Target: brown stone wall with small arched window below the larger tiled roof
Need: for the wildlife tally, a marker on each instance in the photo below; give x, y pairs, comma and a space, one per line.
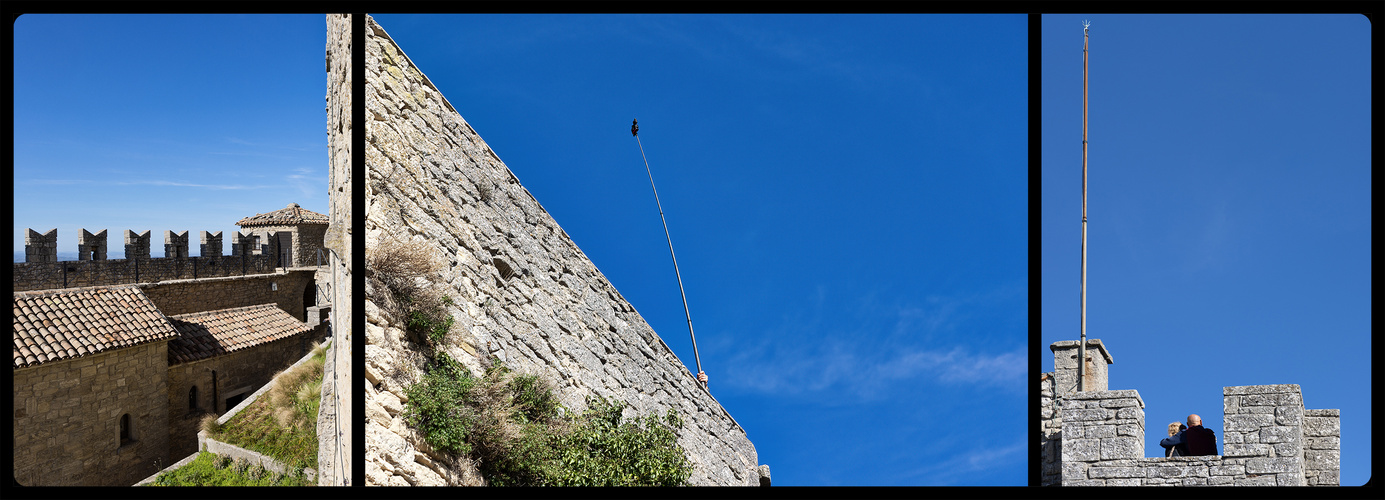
67, 419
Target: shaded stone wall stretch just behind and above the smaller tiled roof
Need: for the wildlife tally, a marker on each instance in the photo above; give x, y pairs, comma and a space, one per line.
185, 297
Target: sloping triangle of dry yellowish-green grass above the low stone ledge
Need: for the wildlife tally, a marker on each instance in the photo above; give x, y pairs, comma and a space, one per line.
283, 422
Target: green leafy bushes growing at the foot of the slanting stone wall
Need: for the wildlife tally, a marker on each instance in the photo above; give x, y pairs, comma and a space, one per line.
519, 434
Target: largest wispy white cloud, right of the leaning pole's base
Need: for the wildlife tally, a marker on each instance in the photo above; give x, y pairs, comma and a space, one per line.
873, 350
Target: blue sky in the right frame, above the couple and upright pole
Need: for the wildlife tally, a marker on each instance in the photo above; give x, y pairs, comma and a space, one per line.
1229, 210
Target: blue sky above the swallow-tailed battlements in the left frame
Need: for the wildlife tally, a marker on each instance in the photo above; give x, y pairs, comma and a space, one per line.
166, 123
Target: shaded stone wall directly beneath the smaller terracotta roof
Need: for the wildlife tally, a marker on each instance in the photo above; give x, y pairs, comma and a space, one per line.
243, 370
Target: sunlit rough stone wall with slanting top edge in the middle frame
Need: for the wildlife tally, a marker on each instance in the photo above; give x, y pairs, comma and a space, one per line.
523, 290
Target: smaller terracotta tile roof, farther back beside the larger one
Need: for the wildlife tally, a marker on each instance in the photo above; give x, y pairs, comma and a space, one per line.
228, 330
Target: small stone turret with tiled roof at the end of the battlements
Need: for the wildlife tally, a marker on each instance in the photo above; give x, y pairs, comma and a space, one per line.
292, 235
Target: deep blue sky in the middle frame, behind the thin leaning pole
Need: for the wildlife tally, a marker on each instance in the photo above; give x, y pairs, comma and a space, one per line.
847, 196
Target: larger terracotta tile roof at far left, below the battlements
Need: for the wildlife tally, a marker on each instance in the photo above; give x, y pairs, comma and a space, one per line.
52, 326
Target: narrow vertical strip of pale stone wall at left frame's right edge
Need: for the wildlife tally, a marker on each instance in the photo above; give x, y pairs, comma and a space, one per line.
334, 437
